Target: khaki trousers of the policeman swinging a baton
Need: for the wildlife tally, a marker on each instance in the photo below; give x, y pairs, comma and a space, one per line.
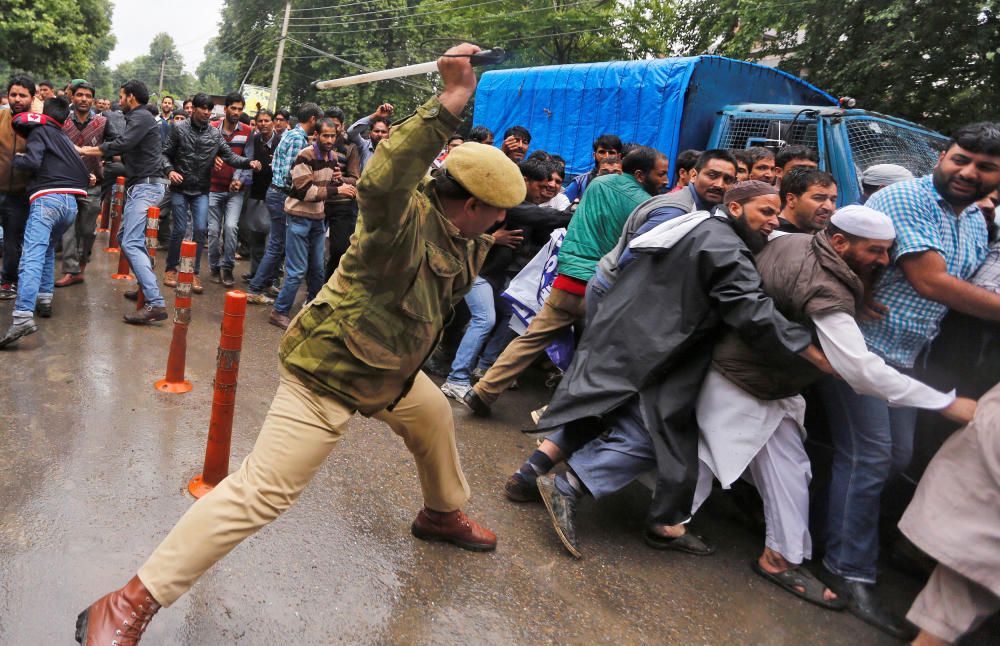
300, 430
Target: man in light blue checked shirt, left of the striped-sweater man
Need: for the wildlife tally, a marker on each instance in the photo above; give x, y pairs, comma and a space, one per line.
292, 142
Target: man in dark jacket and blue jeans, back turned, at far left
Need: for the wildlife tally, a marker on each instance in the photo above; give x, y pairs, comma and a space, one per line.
59, 177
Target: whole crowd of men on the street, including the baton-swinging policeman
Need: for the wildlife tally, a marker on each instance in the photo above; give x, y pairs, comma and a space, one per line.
704, 303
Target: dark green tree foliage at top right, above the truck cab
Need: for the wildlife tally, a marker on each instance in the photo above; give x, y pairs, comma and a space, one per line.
936, 63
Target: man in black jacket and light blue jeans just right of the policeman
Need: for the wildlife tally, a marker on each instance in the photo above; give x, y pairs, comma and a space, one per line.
526, 222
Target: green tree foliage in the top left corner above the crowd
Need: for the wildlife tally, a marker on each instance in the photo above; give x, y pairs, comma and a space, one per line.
55, 38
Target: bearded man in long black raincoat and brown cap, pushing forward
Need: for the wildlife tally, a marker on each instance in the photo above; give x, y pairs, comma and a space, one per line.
638, 390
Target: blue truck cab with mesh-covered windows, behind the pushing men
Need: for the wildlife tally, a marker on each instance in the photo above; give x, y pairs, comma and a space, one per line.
848, 141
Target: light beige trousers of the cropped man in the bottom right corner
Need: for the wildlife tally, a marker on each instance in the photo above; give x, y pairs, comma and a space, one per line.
950, 605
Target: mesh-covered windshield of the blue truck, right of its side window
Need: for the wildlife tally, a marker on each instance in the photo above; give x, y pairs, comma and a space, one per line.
873, 141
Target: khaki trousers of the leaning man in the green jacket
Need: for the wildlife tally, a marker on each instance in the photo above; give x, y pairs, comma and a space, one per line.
560, 310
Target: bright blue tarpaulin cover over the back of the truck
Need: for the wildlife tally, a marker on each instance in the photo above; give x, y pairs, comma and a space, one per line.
566, 107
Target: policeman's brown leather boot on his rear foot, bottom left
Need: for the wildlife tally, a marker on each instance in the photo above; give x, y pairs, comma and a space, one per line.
117, 618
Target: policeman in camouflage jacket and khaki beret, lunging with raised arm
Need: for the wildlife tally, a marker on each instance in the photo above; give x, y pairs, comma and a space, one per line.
357, 347
